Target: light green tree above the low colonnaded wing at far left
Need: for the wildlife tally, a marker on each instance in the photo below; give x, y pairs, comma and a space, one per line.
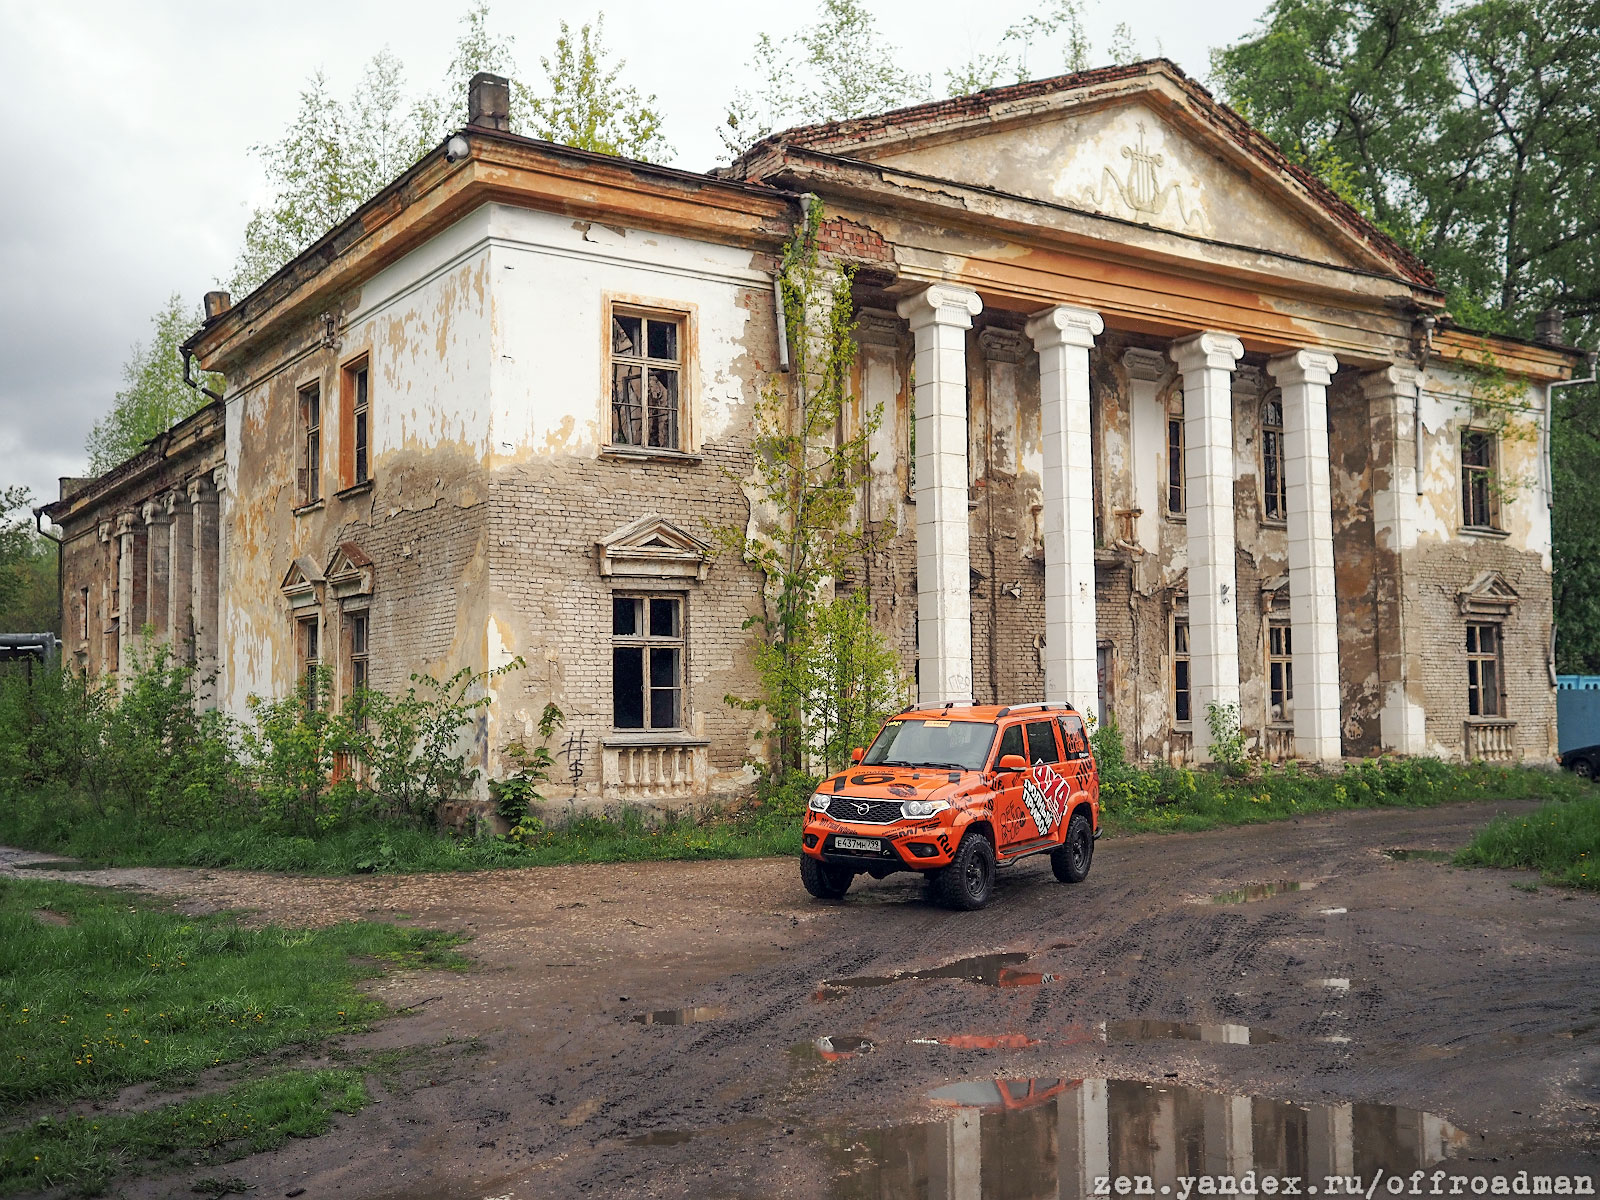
154, 396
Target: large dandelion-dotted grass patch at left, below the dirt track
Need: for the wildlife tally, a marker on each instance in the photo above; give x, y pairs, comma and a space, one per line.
129, 993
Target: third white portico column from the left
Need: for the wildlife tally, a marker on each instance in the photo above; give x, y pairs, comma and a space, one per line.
1207, 364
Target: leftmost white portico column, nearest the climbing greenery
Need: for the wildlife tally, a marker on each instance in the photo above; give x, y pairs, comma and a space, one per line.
940, 319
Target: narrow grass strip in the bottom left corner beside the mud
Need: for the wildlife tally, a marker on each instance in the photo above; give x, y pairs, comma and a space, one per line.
87, 1153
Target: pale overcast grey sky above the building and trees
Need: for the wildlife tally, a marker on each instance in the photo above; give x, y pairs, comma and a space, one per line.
127, 130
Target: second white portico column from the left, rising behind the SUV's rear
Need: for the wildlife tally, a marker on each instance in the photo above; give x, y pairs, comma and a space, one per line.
1063, 338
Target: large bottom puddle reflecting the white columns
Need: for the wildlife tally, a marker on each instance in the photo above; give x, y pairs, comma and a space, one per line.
1050, 1137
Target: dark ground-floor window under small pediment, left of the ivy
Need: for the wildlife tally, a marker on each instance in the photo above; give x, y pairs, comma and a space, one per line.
647, 662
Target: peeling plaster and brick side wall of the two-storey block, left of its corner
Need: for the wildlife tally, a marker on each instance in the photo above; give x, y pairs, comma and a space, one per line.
425, 327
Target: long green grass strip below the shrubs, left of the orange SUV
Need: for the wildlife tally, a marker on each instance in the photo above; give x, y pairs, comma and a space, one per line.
60, 825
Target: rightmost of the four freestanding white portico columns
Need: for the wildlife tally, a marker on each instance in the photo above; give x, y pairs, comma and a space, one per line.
1314, 614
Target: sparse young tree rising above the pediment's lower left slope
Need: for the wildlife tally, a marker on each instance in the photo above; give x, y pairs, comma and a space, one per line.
839, 66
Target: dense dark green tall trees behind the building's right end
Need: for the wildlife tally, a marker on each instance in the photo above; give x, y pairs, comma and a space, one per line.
1468, 130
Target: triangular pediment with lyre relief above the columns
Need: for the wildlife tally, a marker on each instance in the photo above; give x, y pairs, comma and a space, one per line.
1140, 145
